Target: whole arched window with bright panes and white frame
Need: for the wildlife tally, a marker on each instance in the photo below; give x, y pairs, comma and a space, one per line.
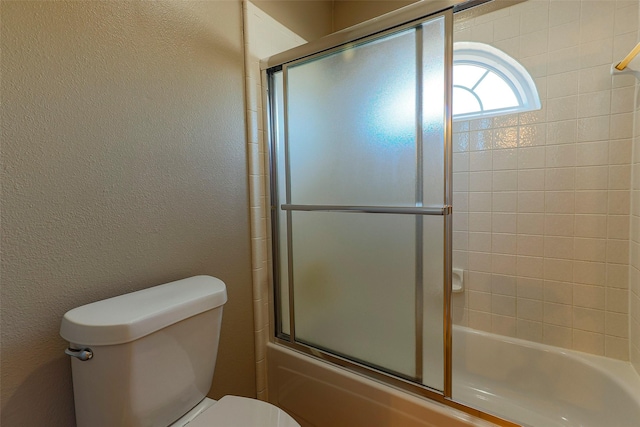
487, 82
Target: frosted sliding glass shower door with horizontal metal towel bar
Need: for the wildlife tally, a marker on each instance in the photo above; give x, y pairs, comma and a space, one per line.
360, 200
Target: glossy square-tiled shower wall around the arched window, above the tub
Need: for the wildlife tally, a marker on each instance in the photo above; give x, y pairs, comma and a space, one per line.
544, 197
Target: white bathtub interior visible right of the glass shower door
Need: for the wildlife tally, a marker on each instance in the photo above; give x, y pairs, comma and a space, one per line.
540, 385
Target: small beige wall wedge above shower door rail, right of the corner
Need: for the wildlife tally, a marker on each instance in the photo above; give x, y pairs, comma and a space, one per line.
351, 12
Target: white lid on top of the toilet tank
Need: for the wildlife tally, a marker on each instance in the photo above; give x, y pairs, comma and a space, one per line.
131, 316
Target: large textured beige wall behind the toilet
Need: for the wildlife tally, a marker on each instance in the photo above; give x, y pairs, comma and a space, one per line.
124, 166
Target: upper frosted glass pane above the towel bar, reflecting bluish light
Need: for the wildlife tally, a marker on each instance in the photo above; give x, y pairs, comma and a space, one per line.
352, 131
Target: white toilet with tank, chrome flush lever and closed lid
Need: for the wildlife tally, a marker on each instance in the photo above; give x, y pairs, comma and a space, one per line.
146, 359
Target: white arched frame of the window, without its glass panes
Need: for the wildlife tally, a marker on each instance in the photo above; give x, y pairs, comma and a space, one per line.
506, 67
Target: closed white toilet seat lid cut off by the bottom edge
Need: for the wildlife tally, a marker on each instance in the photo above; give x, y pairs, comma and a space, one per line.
234, 411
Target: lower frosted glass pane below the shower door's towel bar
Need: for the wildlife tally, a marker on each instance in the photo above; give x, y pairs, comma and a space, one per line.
354, 286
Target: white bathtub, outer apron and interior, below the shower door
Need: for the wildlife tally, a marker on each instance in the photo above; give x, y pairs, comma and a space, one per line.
533, 384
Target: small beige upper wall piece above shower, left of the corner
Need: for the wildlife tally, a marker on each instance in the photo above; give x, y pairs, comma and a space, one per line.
310, 19
